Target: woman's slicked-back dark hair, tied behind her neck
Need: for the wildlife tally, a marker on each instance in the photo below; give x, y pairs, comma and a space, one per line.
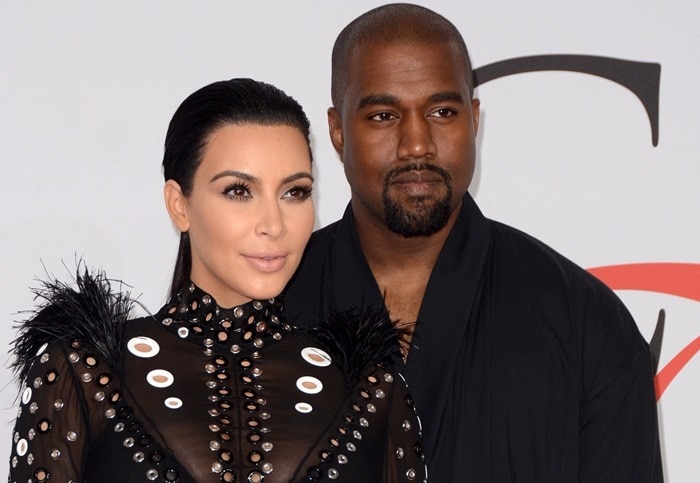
235, 101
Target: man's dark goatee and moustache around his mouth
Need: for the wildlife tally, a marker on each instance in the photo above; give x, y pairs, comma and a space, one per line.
418, 218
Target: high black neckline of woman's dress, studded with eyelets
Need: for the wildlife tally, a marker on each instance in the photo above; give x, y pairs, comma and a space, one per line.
194, 315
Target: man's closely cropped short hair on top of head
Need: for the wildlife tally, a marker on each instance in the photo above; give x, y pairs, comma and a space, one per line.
397, 23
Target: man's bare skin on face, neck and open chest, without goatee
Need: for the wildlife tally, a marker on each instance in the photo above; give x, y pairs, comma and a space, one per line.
404, 103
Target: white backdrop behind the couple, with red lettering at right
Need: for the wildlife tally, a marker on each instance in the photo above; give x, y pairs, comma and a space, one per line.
86, 92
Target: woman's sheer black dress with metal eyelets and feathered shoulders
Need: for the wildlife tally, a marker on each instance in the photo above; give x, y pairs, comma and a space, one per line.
202, 393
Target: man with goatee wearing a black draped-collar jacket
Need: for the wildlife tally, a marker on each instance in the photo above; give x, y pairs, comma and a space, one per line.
522, 366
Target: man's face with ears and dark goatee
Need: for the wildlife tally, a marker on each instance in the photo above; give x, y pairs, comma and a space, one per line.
405, 134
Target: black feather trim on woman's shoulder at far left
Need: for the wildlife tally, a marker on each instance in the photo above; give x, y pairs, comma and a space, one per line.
87, 310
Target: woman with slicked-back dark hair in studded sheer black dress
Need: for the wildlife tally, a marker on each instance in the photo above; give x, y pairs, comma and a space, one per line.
217, 386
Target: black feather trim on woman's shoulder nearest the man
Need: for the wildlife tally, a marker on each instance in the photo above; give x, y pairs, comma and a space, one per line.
359, 340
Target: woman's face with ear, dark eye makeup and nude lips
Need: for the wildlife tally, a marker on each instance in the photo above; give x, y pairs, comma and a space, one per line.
250, 212
